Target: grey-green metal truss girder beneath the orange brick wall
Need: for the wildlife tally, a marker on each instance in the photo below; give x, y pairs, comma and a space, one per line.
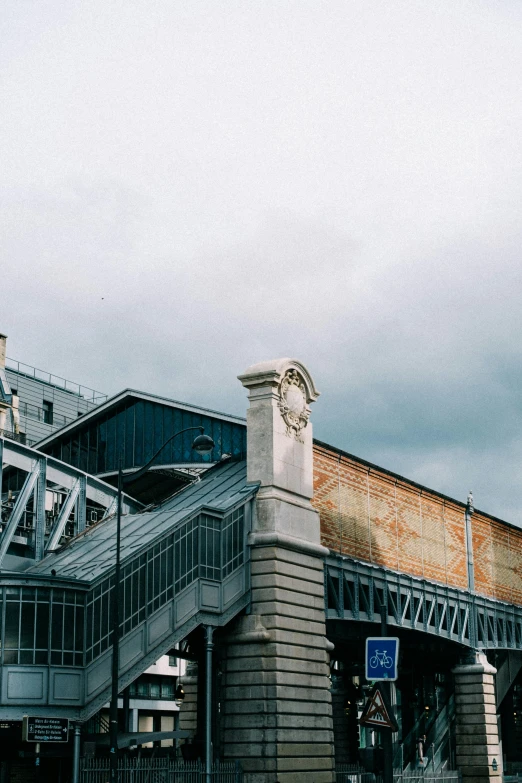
356, 591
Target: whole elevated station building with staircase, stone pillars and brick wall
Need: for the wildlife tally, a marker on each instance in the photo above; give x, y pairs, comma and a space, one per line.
267, 564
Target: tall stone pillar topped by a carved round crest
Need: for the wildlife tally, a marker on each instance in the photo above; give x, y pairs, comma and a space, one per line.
276, 702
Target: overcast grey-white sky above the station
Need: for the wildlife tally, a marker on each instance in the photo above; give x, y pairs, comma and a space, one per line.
190, 187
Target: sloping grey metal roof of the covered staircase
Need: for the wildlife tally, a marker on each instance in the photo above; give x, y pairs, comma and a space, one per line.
93, 553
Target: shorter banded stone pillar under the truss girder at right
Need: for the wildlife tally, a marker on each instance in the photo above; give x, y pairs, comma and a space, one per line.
476, 721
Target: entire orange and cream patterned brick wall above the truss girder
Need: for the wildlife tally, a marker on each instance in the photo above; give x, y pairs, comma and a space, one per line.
371, 516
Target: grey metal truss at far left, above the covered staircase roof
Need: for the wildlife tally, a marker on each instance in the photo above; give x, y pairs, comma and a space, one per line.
47, 477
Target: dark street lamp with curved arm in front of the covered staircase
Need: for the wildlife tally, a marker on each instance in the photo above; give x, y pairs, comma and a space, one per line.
202, 444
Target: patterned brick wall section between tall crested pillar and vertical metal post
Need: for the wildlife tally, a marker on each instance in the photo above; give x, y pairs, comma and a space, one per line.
379, 518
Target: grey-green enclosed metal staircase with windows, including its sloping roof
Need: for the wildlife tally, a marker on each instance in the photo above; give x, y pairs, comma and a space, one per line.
183, 564
